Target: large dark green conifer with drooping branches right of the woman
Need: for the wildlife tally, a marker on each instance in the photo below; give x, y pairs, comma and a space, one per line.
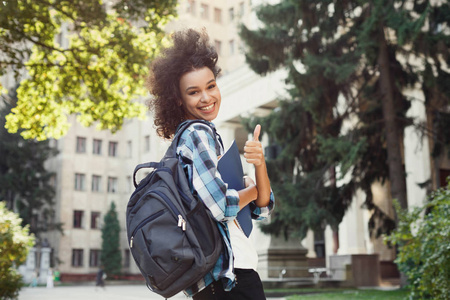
348, 64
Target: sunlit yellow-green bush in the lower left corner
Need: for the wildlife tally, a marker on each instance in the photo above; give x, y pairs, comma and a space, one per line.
15, 241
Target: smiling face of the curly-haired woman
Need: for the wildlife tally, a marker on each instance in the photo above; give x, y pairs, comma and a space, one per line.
200, 94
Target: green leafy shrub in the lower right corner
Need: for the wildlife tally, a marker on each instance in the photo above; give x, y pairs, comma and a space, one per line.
423, 241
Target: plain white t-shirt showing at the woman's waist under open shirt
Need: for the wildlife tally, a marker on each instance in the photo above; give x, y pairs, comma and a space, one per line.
245, 255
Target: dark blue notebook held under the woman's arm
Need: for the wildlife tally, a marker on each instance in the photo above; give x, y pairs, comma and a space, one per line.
230, 168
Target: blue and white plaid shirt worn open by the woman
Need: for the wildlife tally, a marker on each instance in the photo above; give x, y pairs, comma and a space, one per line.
198, 152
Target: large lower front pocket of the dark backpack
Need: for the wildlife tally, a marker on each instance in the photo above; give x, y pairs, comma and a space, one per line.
162, 249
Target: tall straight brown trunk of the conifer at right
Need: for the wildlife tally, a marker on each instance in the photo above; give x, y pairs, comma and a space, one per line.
393, 142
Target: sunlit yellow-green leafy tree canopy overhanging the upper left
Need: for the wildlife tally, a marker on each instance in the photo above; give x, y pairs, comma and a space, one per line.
81, 57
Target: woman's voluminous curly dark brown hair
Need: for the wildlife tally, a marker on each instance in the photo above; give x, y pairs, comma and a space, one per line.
191, 50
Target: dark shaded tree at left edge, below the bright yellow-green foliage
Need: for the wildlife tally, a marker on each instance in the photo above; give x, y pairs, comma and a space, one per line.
25, 184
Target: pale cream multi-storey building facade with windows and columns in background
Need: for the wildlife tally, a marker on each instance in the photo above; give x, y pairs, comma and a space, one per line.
94, 168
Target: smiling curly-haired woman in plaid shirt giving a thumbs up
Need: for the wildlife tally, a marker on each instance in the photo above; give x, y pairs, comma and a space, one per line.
183, 83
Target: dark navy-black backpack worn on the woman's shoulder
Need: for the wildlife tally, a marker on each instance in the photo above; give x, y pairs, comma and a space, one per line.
171, 235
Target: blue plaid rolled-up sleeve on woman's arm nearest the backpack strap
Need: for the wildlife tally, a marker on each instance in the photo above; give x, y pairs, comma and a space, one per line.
198, 152
